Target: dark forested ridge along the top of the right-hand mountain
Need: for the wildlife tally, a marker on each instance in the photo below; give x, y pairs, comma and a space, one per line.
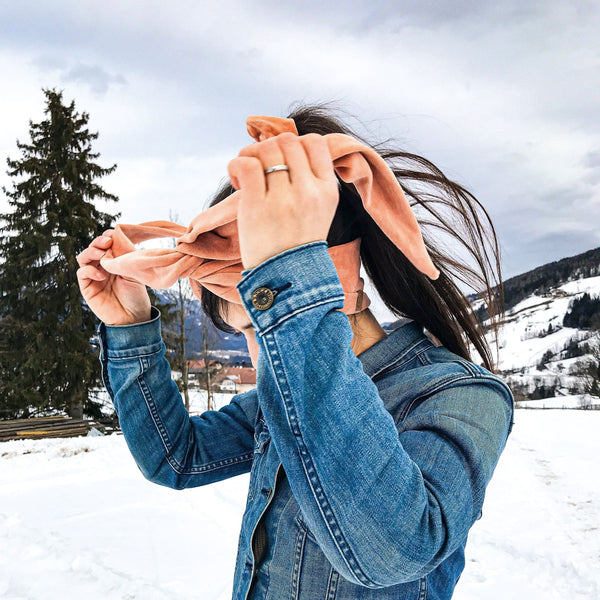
542, 279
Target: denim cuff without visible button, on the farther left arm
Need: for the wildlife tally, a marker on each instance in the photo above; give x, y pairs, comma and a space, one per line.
136, 338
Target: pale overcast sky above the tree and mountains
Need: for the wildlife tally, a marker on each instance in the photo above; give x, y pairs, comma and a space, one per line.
502, 96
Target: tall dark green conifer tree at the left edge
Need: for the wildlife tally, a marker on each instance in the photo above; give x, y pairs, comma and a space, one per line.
46, 359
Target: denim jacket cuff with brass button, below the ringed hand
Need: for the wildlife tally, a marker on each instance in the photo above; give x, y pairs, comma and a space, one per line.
292, 281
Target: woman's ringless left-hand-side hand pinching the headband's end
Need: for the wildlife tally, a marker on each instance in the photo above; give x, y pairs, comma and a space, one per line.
114, 299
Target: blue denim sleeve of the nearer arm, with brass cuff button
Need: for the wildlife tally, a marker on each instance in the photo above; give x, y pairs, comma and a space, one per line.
387, 504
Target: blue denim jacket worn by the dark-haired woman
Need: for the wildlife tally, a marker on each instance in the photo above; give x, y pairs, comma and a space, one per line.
366, 473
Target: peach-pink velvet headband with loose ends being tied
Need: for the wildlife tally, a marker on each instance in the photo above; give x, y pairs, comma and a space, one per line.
208, 253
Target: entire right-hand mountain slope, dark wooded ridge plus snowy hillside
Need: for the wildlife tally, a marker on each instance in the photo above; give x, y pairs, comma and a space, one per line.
541, 359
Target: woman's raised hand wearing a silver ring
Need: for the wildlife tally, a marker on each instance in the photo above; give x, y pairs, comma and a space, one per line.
283, 209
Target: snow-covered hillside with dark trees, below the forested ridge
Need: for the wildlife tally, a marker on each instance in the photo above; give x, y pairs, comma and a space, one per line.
534, 347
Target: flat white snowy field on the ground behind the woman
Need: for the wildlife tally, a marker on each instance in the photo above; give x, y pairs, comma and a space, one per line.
78, 520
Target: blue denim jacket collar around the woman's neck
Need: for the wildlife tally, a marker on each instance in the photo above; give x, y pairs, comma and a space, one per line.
403, 335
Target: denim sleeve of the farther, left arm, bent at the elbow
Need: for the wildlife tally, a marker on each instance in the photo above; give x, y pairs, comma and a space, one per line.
170, 447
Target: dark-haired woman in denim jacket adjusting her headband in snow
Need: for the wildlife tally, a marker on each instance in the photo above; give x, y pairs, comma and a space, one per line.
369, 453
